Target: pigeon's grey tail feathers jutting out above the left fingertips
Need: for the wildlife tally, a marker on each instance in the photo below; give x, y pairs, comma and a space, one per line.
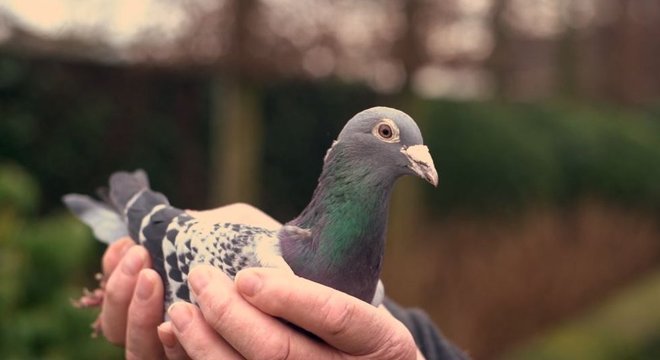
128, 200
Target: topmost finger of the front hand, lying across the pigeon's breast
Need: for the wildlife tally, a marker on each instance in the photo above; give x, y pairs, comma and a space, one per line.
341, 320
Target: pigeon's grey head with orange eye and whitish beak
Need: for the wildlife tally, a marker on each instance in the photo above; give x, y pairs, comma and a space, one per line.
389, 140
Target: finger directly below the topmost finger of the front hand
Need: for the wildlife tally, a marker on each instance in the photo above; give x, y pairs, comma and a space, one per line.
252, 333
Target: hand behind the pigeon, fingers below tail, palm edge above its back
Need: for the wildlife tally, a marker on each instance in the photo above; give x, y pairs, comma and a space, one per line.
132, 306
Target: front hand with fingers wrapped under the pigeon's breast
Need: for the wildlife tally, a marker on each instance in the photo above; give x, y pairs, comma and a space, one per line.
240, 320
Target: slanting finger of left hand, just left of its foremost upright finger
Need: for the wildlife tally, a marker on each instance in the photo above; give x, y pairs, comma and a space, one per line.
119, 292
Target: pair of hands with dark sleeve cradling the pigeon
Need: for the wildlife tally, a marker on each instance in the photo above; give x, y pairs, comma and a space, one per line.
132, 313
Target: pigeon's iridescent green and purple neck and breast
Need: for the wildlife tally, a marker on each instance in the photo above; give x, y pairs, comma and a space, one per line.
347, 217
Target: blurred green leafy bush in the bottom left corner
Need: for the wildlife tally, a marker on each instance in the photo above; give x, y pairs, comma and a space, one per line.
40, 260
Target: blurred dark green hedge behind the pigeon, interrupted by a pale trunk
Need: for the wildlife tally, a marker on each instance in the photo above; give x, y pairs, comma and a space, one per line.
71, 124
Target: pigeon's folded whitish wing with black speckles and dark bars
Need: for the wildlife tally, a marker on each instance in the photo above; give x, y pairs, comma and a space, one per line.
185, 242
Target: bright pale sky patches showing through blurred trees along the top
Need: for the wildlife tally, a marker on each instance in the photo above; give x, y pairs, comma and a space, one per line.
120, 22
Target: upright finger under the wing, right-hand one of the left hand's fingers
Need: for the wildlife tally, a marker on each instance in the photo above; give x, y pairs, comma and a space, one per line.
145, 313
